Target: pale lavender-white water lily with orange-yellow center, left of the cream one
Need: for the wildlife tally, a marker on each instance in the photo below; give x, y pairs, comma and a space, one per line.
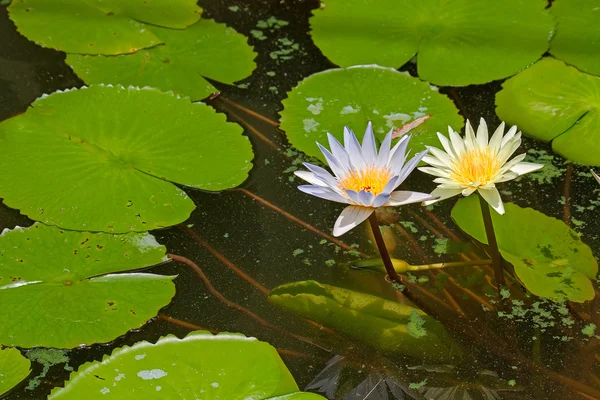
362, 176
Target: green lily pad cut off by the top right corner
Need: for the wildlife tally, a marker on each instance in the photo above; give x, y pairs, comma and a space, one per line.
577, 38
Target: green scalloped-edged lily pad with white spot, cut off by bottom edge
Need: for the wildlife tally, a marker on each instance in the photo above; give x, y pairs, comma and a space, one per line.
202, 366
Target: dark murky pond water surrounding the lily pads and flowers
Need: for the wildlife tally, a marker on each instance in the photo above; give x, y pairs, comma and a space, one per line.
267, 233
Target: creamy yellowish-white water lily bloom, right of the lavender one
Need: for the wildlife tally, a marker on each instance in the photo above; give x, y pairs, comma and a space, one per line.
474, 163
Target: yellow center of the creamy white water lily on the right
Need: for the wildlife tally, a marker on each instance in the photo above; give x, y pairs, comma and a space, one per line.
476, 167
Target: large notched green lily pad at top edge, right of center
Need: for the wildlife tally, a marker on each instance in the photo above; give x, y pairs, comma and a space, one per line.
457, 42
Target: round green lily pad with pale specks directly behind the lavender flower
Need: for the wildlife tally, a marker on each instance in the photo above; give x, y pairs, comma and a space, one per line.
327, 101
